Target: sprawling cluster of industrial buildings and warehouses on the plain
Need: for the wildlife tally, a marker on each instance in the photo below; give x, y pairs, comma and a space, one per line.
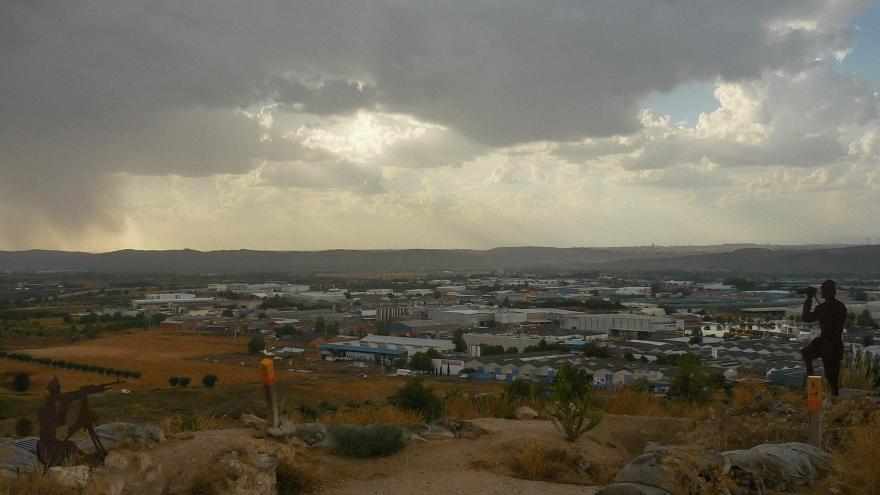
640, 324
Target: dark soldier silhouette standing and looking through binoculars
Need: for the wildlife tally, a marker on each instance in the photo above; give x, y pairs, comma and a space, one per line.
831, 316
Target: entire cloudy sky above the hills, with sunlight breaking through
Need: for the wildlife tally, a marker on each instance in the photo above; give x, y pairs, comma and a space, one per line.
375, 124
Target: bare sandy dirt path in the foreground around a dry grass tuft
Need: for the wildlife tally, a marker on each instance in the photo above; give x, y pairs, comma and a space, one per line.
481, 465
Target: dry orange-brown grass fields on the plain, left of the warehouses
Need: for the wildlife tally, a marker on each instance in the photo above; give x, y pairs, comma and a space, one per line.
159, 355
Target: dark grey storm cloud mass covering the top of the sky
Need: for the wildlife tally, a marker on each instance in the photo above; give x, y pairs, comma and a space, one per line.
97, 87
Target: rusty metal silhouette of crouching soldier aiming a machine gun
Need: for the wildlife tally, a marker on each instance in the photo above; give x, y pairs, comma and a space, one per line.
53, 414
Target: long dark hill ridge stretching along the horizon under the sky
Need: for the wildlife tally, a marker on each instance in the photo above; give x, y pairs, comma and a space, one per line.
858, 260
